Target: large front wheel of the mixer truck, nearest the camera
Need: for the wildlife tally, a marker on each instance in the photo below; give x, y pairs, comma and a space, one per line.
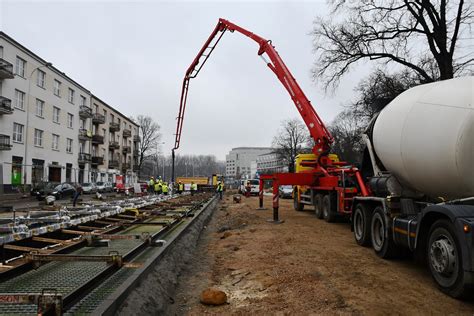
444, 259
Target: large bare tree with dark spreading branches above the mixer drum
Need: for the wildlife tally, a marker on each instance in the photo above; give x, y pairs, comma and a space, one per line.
420, 35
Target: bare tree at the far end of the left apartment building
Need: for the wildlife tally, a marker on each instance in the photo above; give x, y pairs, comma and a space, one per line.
150, 136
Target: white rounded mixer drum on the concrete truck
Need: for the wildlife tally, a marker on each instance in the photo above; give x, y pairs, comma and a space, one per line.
425, 137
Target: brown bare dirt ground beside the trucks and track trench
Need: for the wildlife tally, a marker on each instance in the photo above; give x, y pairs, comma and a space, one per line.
303, 266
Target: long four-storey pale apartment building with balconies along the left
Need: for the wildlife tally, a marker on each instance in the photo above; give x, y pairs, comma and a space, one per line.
47, 123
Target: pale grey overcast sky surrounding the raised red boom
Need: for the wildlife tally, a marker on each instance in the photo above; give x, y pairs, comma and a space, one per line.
133, 55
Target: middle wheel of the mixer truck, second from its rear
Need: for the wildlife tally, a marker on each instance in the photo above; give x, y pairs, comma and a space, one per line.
382, 241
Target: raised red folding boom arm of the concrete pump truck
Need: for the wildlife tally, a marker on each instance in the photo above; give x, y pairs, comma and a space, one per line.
317, 129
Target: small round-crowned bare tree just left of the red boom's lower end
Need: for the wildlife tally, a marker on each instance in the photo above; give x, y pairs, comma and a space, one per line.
290, 140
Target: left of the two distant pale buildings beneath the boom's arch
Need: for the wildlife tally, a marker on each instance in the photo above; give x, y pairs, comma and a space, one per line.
239, 161
